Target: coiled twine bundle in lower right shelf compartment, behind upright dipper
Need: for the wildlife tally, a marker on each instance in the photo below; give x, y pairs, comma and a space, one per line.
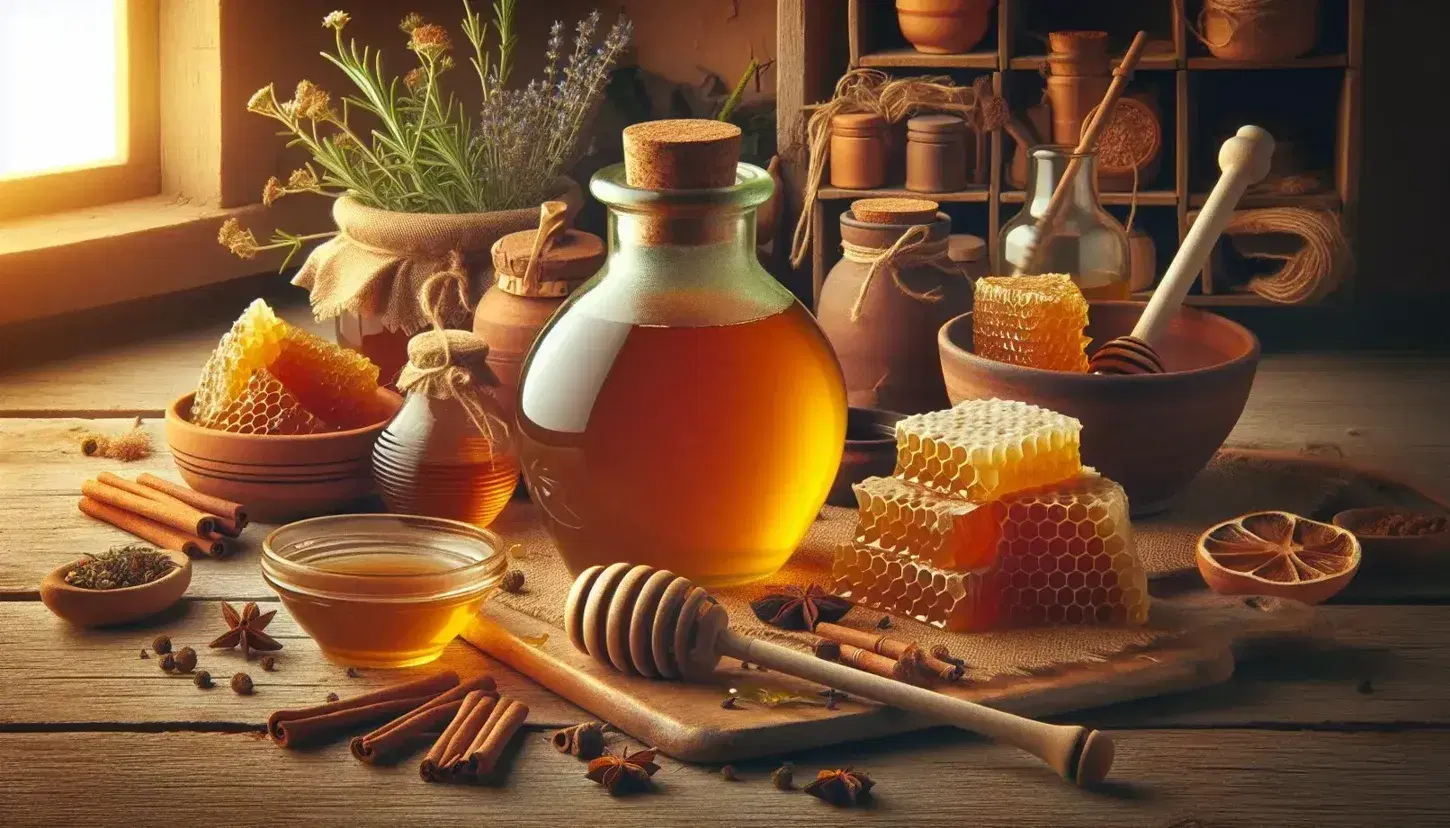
1309, 273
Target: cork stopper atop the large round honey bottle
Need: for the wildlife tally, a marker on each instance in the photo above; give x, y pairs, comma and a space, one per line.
682, 154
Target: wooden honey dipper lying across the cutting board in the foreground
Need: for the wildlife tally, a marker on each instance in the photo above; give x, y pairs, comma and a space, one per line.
656, 624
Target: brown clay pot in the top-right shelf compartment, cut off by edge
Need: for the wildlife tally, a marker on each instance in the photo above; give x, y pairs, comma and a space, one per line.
1259, 30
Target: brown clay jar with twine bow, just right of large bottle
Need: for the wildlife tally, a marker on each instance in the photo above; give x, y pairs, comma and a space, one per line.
882, 311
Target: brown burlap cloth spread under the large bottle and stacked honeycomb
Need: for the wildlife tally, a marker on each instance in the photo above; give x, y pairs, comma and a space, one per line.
1230, 487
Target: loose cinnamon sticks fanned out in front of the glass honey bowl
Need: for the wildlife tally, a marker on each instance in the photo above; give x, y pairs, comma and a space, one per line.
475, 724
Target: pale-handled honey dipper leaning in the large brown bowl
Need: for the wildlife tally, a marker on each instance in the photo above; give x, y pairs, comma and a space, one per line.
1243, 160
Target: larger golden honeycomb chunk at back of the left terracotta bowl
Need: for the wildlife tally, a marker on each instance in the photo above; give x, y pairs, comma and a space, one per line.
334, 385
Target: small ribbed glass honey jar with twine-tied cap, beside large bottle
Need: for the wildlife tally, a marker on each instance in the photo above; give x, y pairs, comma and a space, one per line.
449, 452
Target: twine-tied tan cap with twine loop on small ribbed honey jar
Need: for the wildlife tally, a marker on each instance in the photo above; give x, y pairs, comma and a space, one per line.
450, 365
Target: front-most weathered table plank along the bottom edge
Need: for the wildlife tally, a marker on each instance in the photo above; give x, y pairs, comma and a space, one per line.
1164, 778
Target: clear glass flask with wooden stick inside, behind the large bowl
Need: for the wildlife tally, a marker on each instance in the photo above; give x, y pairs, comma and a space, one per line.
1087, 243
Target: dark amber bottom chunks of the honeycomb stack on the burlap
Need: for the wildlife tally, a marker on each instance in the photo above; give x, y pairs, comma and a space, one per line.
1065, 556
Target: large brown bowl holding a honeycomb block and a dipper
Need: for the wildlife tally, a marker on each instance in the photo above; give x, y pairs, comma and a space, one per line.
1149, 433
